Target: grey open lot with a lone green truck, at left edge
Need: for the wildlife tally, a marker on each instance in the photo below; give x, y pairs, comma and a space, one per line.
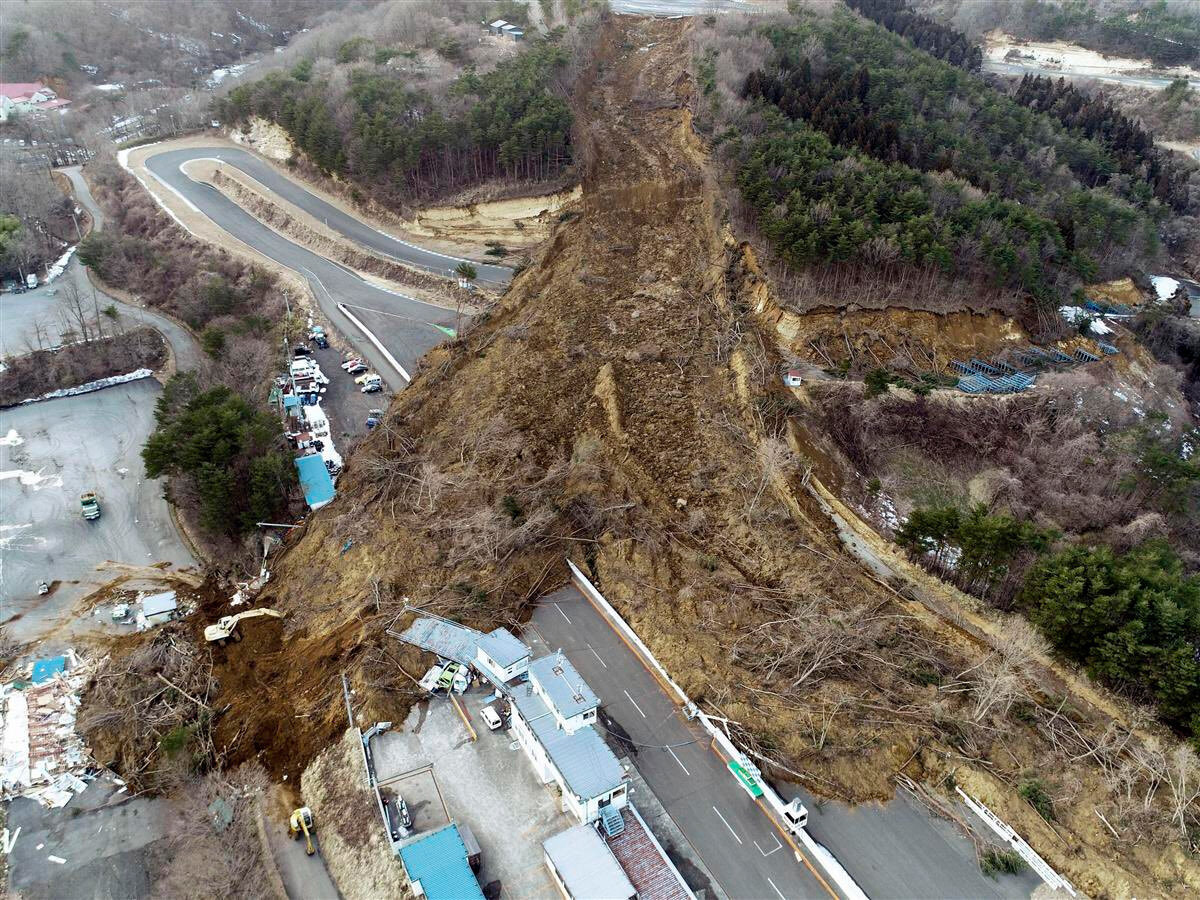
50, 453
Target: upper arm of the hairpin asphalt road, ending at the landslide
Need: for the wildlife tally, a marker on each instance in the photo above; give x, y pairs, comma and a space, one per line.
165, 165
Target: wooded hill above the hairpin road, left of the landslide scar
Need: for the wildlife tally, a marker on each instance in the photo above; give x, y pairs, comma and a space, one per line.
429, 109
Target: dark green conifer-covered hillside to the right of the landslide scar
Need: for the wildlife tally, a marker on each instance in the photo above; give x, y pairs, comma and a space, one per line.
868, 151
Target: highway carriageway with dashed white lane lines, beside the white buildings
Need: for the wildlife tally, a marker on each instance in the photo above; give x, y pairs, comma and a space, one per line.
729, 832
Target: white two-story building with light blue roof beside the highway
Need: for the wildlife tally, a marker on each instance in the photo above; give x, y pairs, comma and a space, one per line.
553, 719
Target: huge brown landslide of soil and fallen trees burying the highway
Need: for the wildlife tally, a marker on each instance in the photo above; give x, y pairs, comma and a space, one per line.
623, 406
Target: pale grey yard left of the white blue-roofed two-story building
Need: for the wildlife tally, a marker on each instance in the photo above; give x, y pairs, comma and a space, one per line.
488, 784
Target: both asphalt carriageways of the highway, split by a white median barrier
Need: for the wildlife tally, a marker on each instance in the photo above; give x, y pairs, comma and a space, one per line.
892, 850
